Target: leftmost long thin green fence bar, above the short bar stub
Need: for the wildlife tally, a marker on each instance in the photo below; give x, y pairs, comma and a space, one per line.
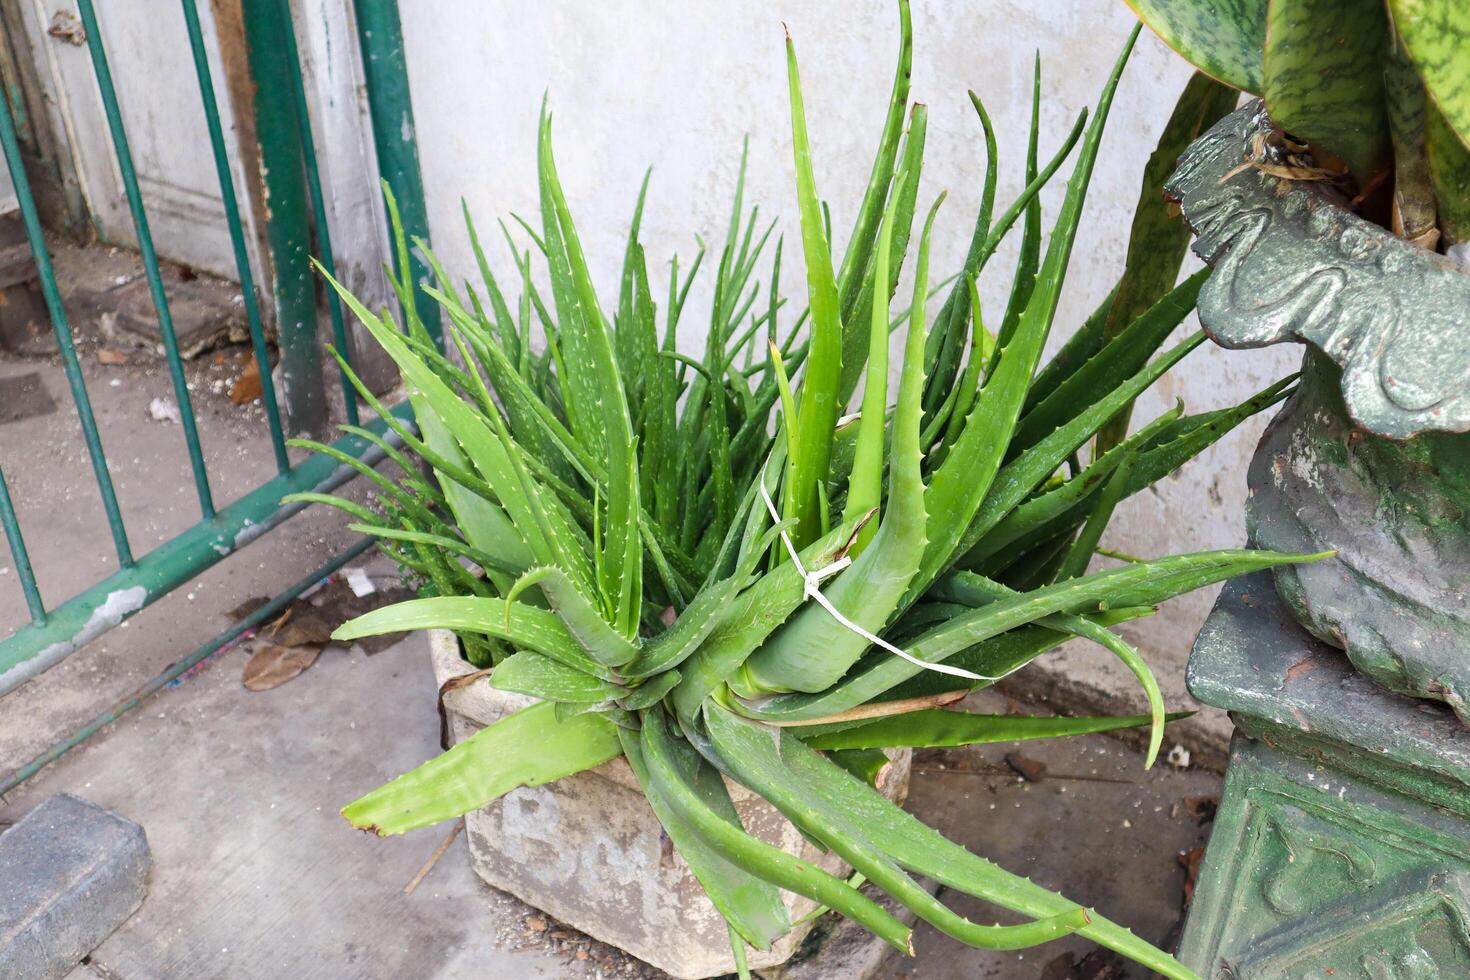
64, 334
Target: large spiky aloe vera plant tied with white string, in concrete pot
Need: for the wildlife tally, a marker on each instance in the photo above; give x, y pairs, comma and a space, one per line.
703, 566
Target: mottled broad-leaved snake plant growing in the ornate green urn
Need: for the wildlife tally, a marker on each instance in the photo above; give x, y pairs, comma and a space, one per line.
1377, 89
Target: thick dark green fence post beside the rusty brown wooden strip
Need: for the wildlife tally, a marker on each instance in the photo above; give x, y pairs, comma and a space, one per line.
286, 206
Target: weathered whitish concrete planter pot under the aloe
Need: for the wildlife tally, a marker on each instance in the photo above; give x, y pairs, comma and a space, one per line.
589, 850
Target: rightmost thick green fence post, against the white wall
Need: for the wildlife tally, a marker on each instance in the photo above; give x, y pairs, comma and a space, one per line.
380, 33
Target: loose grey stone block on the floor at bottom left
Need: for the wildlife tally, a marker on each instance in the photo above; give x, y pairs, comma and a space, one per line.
70, 875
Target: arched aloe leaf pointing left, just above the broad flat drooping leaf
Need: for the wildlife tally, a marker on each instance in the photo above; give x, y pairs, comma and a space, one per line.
515, 622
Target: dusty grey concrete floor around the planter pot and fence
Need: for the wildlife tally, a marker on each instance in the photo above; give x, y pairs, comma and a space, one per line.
257, 875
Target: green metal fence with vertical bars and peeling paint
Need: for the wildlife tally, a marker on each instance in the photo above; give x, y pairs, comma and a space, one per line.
296, 228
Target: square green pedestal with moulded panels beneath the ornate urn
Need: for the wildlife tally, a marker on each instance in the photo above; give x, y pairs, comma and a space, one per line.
1341, 850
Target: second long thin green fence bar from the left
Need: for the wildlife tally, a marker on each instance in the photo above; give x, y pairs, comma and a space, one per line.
151, 259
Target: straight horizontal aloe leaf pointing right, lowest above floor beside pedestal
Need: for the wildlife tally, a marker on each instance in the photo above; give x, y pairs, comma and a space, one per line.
939, 728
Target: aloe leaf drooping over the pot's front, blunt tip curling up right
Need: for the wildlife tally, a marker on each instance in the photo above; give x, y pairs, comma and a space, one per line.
761, 762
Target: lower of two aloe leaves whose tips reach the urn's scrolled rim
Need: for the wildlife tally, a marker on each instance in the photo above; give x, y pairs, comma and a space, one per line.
1022, 475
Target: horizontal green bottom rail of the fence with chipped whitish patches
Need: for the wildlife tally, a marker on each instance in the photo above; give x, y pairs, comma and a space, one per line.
40, 646
